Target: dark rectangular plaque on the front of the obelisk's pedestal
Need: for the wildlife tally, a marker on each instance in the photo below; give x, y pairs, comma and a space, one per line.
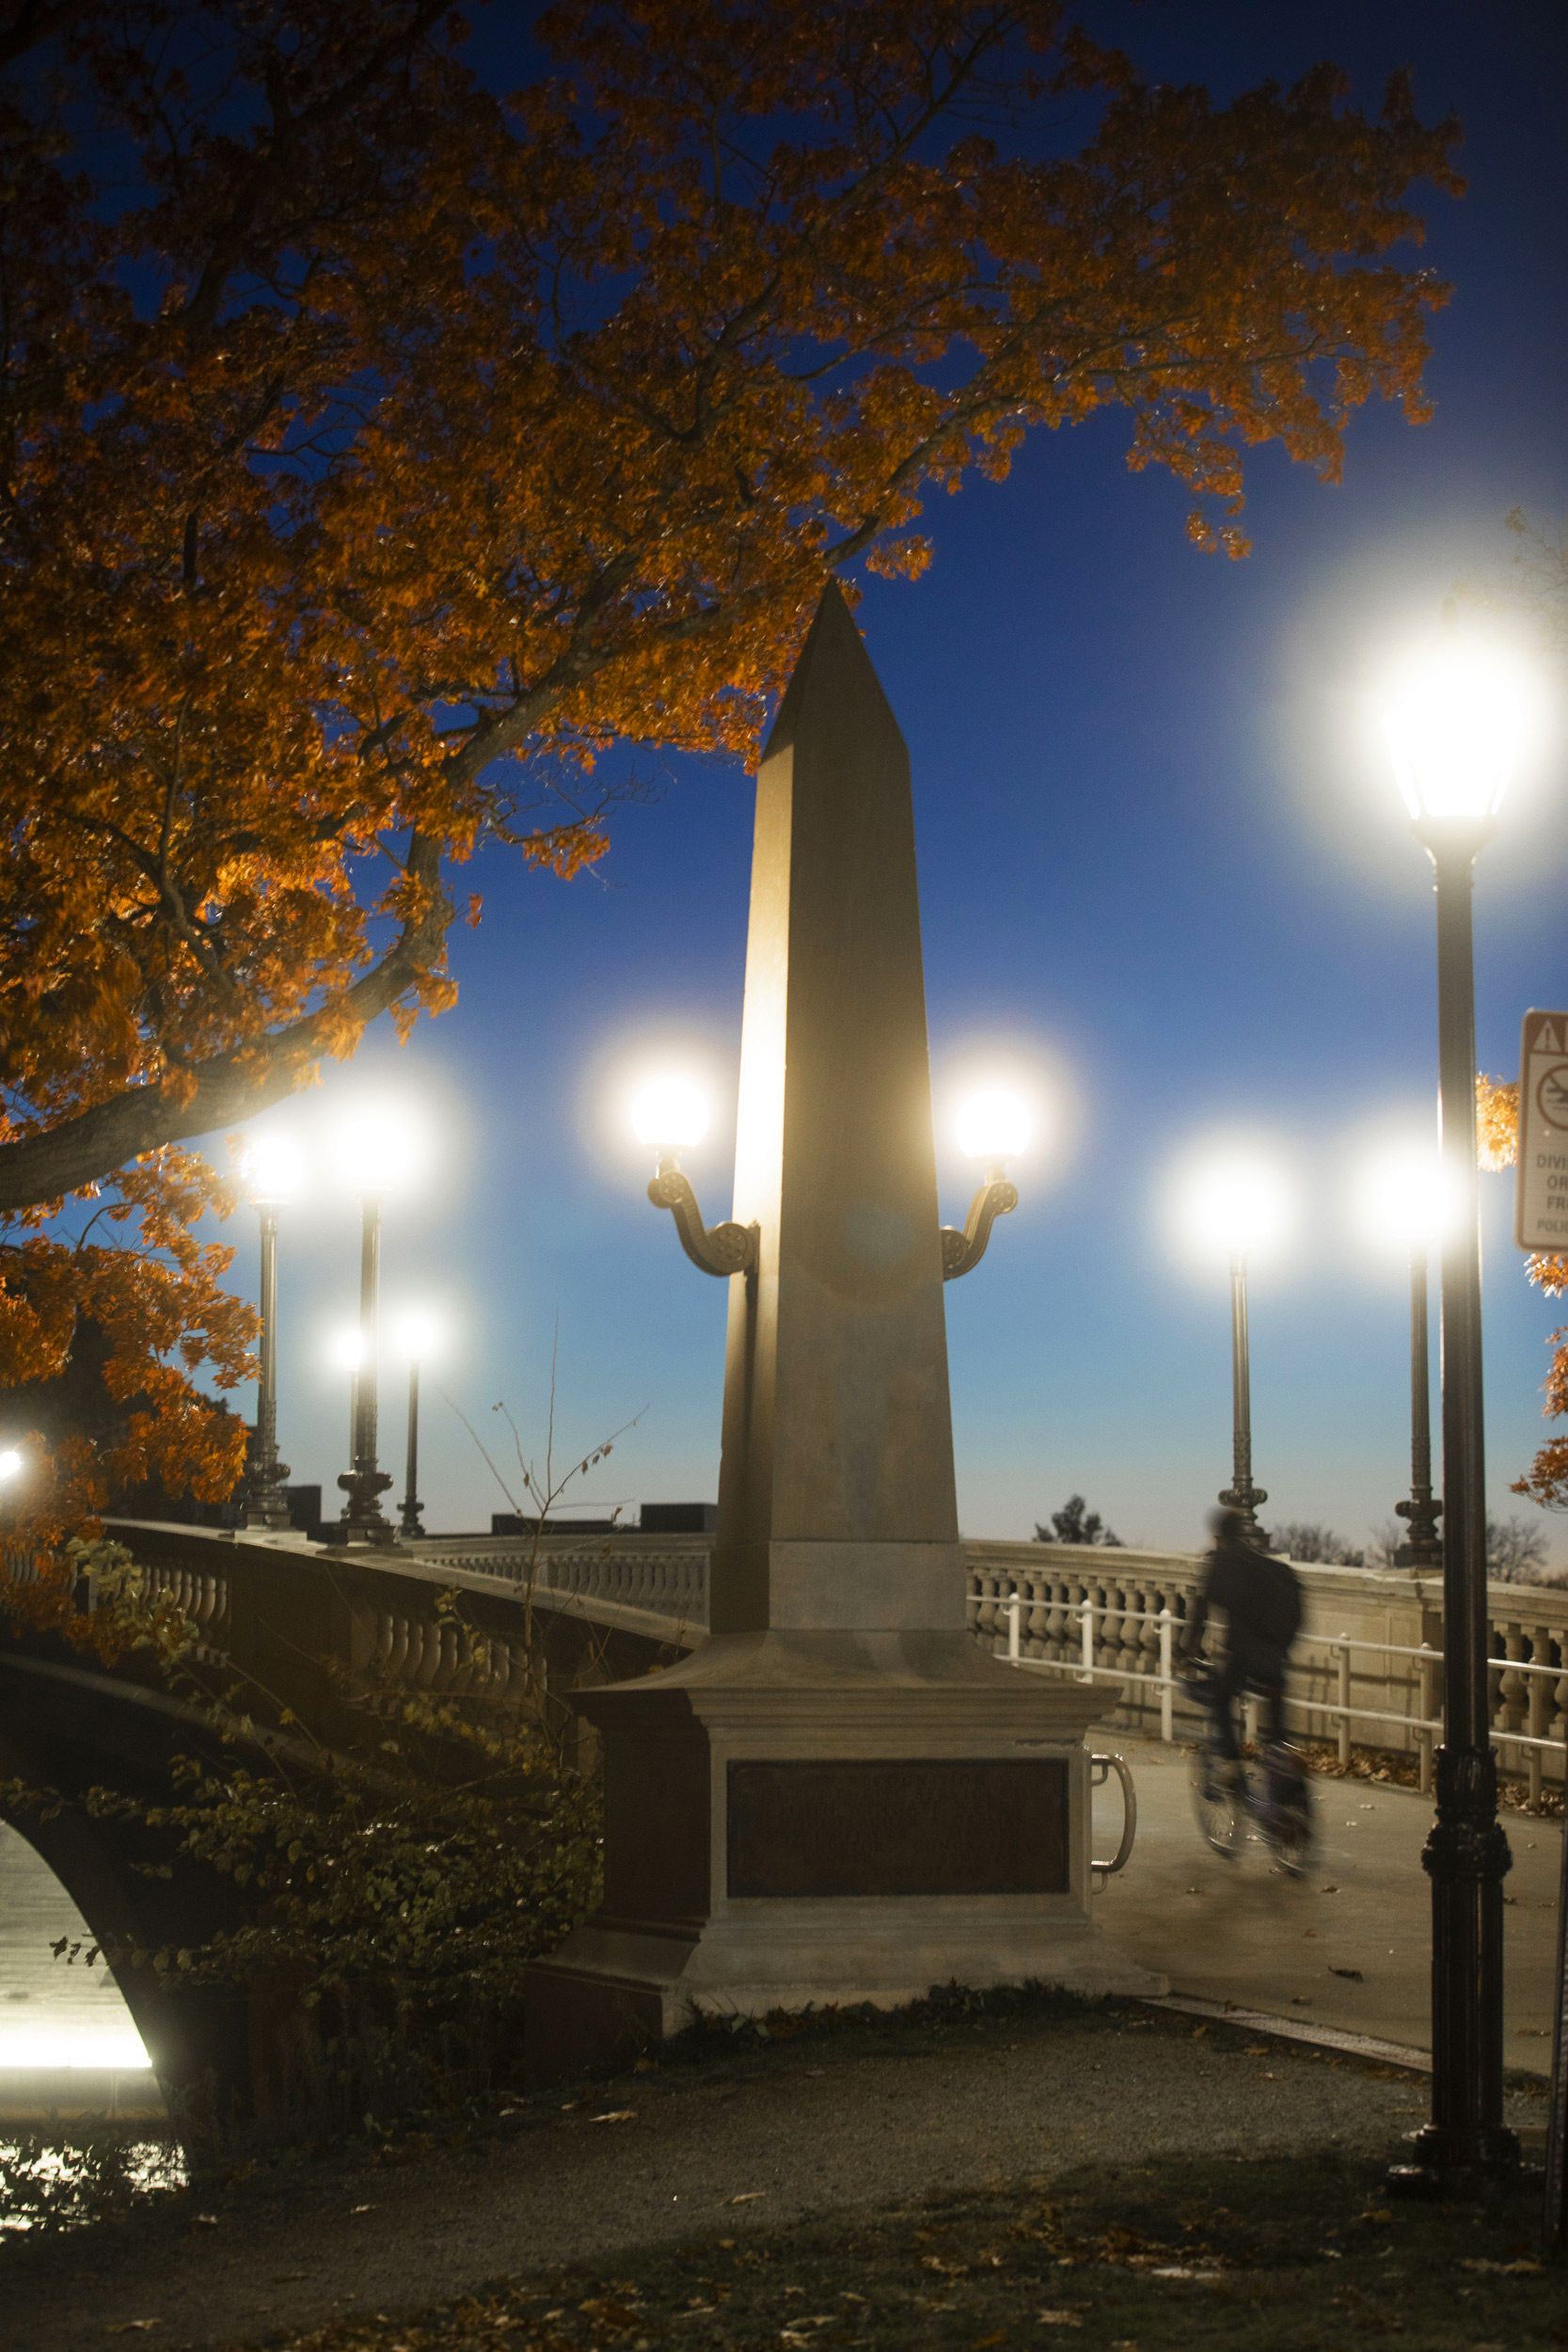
887, 1829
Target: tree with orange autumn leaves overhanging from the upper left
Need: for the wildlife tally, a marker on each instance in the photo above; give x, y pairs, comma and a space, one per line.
380, 453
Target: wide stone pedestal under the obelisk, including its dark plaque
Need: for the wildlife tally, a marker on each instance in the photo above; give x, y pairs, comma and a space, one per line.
810, 1819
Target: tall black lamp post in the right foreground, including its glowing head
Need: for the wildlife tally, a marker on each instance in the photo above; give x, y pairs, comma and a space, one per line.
1454, 740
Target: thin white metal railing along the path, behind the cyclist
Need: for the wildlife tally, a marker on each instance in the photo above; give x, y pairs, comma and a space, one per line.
1546, 1688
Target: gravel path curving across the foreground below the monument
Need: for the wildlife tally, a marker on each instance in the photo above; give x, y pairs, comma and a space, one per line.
742, 2139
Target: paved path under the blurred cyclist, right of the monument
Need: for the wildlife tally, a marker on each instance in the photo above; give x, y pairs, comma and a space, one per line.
1242, 1932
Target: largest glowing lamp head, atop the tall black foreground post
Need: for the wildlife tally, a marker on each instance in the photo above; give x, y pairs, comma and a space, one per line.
1456, 723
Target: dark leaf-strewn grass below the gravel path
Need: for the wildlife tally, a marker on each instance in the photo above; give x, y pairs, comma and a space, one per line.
1273, 2257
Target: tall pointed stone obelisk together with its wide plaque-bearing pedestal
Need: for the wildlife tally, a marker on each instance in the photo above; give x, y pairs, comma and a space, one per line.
836, 1798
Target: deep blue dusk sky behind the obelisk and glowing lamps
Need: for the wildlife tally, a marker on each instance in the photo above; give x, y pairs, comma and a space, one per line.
1162, 878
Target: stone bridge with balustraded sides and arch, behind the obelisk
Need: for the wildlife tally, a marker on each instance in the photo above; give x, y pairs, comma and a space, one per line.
321, 1633
